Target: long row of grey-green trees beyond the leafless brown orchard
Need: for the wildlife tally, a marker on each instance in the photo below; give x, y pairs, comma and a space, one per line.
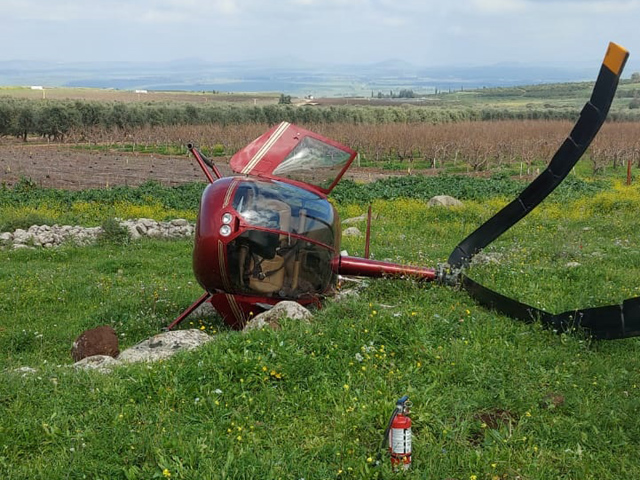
55, 119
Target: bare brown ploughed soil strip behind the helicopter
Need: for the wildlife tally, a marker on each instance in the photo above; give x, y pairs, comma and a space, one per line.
60, 166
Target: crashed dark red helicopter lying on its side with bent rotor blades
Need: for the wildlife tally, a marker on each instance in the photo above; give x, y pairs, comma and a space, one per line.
270, 234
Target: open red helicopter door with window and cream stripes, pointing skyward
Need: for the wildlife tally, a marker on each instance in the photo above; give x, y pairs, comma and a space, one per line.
295, 155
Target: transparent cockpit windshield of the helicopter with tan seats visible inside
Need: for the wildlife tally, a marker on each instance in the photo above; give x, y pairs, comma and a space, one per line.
287, 241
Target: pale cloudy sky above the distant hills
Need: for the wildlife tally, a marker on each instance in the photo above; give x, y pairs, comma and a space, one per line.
423, 32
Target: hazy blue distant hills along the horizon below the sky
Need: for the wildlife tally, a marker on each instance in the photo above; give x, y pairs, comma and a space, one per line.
288, 75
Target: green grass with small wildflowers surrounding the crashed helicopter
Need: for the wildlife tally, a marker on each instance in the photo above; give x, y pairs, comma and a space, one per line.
492, 397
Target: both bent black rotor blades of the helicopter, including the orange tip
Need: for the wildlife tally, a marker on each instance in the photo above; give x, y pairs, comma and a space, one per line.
607, 322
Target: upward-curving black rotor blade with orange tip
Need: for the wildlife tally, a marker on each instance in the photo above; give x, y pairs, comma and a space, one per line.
591, 119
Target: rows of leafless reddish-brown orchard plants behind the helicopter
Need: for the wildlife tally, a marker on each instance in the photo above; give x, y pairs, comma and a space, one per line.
478, 145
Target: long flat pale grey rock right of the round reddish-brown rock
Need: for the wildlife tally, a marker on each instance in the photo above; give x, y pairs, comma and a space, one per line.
164, 345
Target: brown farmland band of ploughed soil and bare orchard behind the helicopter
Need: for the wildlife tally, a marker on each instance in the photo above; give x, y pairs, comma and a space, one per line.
102, 158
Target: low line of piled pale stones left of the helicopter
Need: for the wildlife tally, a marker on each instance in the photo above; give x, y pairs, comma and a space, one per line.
48, 236
